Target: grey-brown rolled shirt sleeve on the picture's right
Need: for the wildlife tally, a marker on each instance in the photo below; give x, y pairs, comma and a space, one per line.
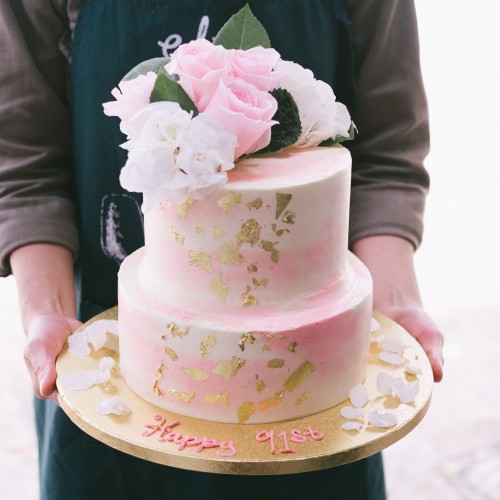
389, 182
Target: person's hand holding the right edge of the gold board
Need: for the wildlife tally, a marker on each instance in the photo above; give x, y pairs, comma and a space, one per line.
421, 326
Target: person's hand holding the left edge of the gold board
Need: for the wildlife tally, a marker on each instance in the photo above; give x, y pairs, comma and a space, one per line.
46, 337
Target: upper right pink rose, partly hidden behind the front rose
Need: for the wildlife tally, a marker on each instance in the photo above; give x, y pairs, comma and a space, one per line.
256, 67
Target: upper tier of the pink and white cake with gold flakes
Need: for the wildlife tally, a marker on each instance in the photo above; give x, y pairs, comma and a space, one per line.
276, 234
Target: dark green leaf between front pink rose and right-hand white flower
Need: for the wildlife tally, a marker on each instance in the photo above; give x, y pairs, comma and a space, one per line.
288, 130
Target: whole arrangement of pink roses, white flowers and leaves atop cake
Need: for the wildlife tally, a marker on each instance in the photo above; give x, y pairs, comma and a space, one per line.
191, 117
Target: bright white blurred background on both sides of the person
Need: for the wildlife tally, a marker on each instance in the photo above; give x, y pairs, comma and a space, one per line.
455, 452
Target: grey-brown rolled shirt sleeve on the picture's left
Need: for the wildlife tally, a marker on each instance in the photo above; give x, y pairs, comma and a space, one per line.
36, 195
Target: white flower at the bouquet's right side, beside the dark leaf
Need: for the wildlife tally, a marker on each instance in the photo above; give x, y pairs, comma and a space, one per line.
320, 115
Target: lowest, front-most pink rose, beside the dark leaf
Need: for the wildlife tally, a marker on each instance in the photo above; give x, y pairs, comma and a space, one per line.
244, 110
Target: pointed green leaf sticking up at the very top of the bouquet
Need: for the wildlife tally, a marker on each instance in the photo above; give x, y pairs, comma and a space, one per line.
242, 31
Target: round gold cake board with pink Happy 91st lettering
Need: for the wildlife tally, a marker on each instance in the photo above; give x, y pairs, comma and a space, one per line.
125, 433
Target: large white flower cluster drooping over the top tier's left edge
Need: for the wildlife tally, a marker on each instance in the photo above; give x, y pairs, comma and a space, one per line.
173, 156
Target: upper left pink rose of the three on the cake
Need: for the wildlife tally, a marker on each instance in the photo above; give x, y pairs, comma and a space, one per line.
200, 65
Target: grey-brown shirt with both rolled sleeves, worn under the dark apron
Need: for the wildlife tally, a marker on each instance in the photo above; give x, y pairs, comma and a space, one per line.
389, 181
